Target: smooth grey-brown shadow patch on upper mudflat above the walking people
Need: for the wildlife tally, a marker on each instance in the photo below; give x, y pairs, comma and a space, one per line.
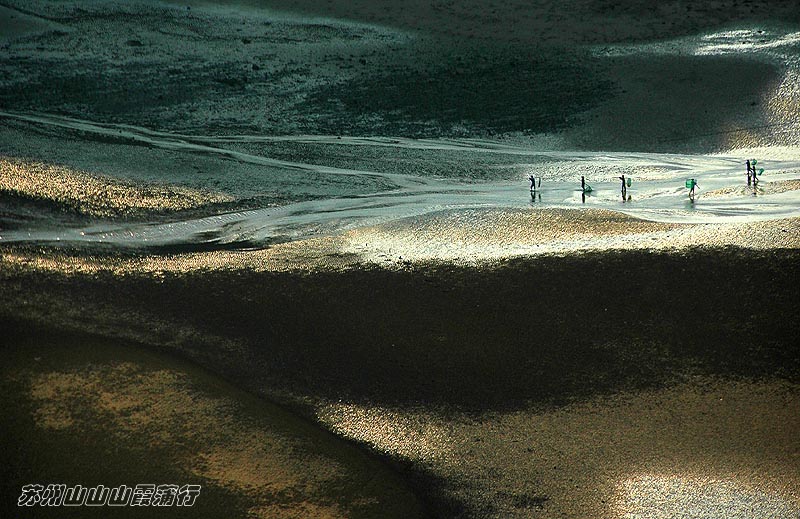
680, 104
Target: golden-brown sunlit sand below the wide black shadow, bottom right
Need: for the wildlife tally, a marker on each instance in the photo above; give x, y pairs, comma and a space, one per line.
708, 449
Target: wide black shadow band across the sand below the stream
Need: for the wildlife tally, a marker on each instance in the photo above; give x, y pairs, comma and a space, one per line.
542, 330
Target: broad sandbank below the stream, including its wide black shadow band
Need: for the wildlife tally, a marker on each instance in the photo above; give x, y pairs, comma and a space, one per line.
596, 381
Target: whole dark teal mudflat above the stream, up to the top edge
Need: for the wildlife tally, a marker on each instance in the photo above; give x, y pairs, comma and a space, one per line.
590, 75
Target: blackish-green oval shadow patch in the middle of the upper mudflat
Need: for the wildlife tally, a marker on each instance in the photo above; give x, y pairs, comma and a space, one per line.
464, 91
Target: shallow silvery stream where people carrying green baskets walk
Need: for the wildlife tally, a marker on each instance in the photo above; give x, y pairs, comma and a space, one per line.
364, 197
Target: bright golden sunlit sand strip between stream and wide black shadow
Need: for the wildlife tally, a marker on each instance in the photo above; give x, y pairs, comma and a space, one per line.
477, 236
